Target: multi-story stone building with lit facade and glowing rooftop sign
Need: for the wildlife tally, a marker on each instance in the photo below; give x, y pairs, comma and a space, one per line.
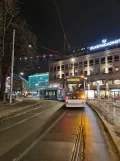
101, 67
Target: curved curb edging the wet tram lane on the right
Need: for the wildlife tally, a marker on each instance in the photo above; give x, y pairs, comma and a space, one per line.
106, 128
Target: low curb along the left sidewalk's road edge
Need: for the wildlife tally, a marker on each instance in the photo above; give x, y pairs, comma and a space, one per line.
9, 114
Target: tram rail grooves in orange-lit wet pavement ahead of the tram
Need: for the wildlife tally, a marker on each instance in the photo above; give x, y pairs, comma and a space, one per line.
78, 152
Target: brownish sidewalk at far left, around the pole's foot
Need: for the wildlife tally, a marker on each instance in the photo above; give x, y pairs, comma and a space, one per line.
8, 109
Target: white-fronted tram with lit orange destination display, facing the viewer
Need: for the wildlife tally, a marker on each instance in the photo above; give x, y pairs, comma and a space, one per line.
75, 92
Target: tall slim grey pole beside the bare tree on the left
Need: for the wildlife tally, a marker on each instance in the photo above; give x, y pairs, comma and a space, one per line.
12, 67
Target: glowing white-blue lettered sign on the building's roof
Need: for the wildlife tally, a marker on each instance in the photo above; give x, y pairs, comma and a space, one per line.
104, 44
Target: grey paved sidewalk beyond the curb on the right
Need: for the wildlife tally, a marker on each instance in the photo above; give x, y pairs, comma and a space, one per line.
109, 110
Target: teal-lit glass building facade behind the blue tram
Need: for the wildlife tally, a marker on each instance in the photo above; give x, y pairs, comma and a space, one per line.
38, 81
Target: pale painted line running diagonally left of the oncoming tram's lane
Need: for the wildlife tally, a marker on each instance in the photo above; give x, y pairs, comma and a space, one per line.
37, 140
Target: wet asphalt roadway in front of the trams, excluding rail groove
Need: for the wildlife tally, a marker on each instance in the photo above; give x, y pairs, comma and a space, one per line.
24, 137
